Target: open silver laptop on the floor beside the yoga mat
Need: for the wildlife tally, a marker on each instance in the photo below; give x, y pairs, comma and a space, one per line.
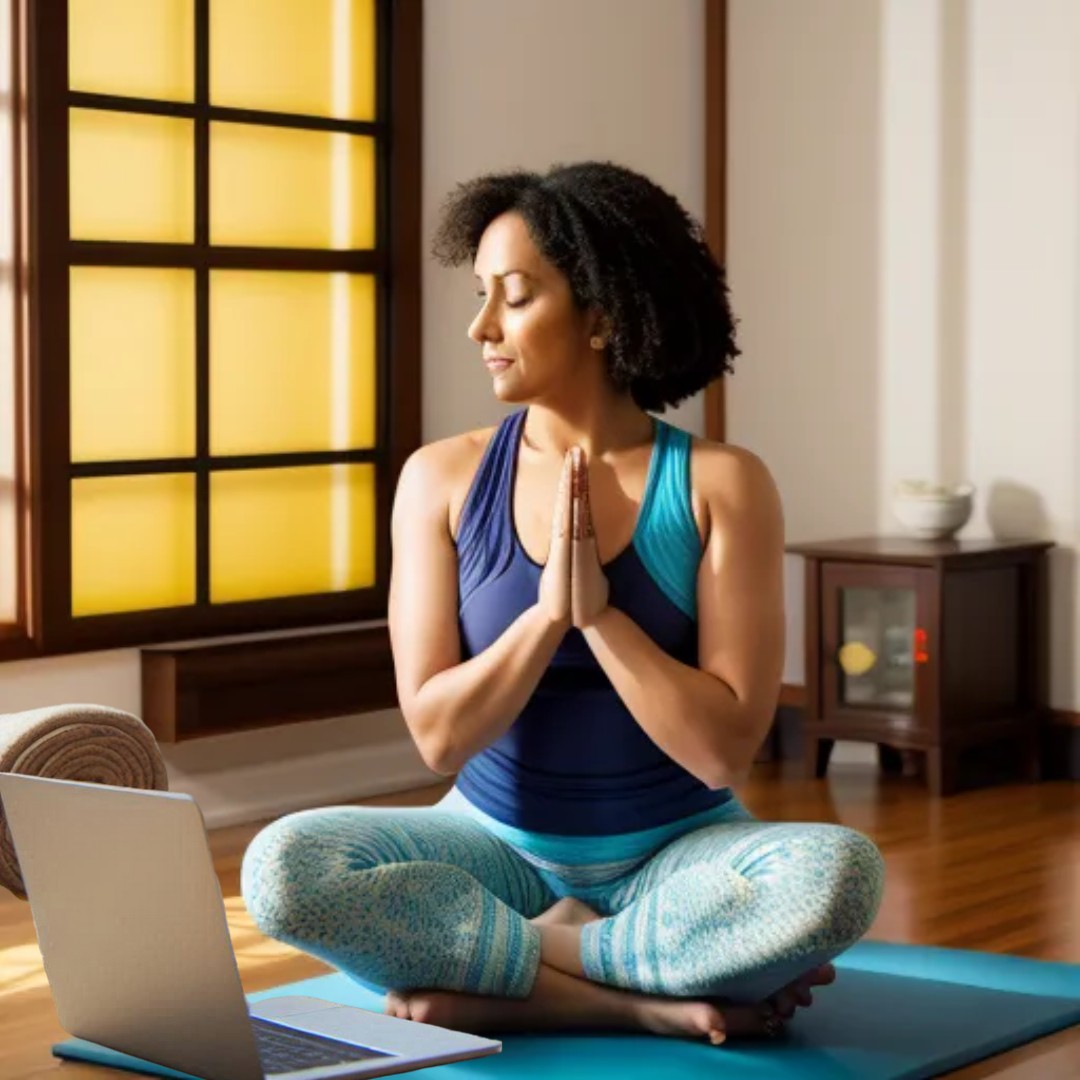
133, 934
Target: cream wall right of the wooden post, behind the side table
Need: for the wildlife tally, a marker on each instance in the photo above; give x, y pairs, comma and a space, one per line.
904, 254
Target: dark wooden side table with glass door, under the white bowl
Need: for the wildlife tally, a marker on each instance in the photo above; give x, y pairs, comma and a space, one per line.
927, 646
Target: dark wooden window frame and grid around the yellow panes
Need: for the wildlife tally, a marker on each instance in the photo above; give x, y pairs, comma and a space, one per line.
49, 627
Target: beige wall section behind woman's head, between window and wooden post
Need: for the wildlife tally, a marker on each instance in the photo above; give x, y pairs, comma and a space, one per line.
534, 85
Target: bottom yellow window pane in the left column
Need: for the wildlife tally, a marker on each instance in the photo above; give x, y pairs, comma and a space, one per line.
133, 544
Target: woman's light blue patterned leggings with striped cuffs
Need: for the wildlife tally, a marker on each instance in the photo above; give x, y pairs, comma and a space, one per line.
428, 898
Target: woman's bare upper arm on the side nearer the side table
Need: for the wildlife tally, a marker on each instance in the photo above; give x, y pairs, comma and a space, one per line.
741, 585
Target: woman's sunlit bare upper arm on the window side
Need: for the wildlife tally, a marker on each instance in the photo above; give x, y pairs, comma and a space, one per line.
424, 577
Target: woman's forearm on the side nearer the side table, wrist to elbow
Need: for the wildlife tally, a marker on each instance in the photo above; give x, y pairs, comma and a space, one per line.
692, 715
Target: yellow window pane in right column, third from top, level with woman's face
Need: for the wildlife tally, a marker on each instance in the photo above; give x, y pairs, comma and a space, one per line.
292, 362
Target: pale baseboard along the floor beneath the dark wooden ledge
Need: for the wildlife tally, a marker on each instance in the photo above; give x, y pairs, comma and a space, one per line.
264, 792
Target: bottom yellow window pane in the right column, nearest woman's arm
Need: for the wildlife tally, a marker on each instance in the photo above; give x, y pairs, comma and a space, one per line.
292, 532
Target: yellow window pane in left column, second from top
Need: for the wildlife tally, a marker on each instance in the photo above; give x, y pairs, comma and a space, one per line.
132, 178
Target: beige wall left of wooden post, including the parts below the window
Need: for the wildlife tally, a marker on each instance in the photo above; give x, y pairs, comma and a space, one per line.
506, 86
